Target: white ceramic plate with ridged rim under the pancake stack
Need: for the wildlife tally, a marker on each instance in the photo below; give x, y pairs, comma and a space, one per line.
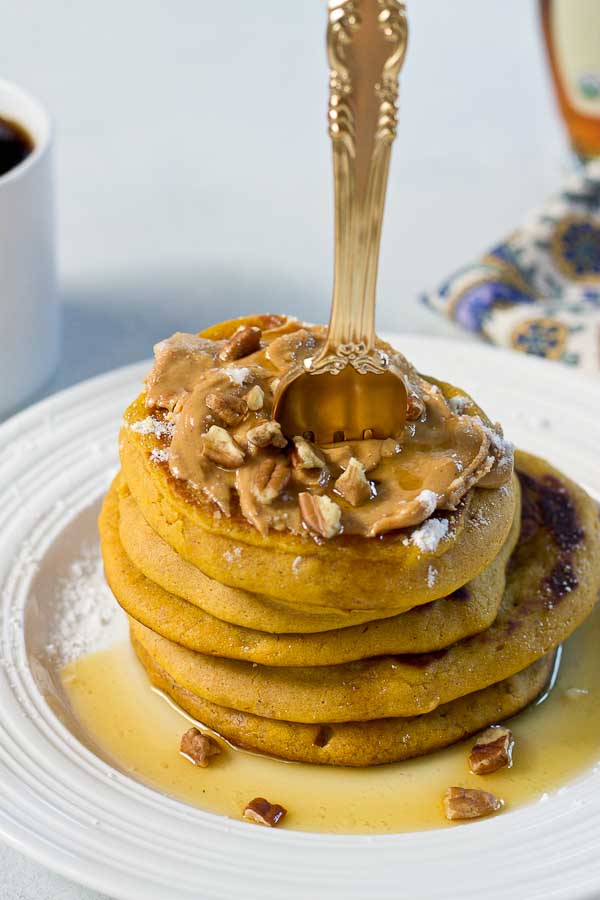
64, 806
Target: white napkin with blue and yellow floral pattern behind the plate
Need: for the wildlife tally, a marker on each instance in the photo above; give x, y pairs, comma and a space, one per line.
539, 291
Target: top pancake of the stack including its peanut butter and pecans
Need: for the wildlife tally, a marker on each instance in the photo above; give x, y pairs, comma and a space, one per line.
237, 537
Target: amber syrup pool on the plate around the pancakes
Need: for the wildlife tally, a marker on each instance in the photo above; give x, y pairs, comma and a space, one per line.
137, 730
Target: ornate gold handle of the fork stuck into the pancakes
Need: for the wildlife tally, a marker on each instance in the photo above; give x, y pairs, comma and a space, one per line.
366, 45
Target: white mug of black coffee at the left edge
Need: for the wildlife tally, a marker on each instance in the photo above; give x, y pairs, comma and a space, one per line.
29, 315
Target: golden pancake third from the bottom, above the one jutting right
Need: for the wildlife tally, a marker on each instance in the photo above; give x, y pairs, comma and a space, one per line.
424, 629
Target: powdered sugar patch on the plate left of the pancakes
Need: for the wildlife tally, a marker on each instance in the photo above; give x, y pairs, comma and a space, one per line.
85, 616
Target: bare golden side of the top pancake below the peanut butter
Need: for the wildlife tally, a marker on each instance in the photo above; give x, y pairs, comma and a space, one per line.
345, 572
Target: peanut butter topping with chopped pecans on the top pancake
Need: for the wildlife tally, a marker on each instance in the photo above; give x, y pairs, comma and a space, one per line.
213, 403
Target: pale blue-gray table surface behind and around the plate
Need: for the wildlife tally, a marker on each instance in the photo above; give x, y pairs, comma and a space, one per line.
194, 174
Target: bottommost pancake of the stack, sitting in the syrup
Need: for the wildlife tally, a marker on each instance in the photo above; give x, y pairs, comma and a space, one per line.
363, 743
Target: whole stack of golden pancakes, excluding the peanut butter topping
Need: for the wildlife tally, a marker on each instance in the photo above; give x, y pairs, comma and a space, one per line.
347, 651
